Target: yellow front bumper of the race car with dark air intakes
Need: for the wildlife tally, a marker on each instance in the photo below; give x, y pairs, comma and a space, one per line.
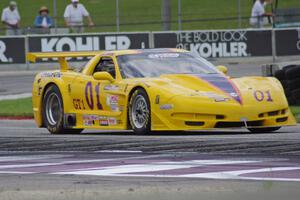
222, 115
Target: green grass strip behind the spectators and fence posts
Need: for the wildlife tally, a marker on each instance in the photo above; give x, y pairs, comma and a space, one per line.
141, 12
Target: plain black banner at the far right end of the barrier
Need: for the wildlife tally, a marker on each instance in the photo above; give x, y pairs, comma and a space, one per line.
287, 42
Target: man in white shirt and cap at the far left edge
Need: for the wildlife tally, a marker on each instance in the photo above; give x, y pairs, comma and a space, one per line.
11, 18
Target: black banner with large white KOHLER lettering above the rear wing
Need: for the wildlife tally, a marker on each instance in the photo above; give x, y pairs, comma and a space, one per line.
89, 42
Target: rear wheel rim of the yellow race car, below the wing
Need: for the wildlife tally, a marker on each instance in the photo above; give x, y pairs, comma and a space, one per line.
53, 109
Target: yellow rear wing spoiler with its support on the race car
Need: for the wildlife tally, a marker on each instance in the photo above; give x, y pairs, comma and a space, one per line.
61, 56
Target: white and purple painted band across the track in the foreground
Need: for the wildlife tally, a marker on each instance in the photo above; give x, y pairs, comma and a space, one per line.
218, 169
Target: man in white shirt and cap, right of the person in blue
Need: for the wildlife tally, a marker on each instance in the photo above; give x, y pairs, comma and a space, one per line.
74, 15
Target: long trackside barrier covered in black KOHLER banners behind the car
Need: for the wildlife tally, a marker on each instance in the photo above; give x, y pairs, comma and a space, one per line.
208, 43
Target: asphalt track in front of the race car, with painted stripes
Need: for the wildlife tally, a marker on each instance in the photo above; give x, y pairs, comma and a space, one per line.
223, 164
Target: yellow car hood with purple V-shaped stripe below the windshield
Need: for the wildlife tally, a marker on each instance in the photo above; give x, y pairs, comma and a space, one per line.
214, 86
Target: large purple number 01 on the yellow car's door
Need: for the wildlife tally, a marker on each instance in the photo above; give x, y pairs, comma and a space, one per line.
89, 95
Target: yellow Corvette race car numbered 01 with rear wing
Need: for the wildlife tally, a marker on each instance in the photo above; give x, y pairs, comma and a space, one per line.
153, 90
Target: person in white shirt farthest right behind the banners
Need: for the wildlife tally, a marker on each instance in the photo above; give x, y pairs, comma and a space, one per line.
258, 13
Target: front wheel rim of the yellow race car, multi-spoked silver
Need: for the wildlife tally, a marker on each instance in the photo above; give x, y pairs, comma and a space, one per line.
139, 112
